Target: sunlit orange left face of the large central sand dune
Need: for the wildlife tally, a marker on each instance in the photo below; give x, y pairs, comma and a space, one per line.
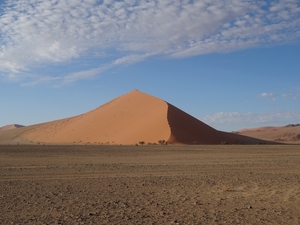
128, 119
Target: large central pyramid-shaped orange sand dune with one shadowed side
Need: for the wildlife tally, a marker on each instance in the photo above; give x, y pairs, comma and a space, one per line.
128, 119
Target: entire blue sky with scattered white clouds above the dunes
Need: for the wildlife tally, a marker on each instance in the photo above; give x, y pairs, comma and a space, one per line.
232, 64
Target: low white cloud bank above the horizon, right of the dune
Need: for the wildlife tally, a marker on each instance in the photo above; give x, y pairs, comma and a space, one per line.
250, 118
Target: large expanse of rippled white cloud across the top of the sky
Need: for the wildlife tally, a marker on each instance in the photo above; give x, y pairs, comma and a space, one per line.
36, 33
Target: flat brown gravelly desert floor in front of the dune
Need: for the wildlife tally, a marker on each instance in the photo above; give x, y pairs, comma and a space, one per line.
150, 184
